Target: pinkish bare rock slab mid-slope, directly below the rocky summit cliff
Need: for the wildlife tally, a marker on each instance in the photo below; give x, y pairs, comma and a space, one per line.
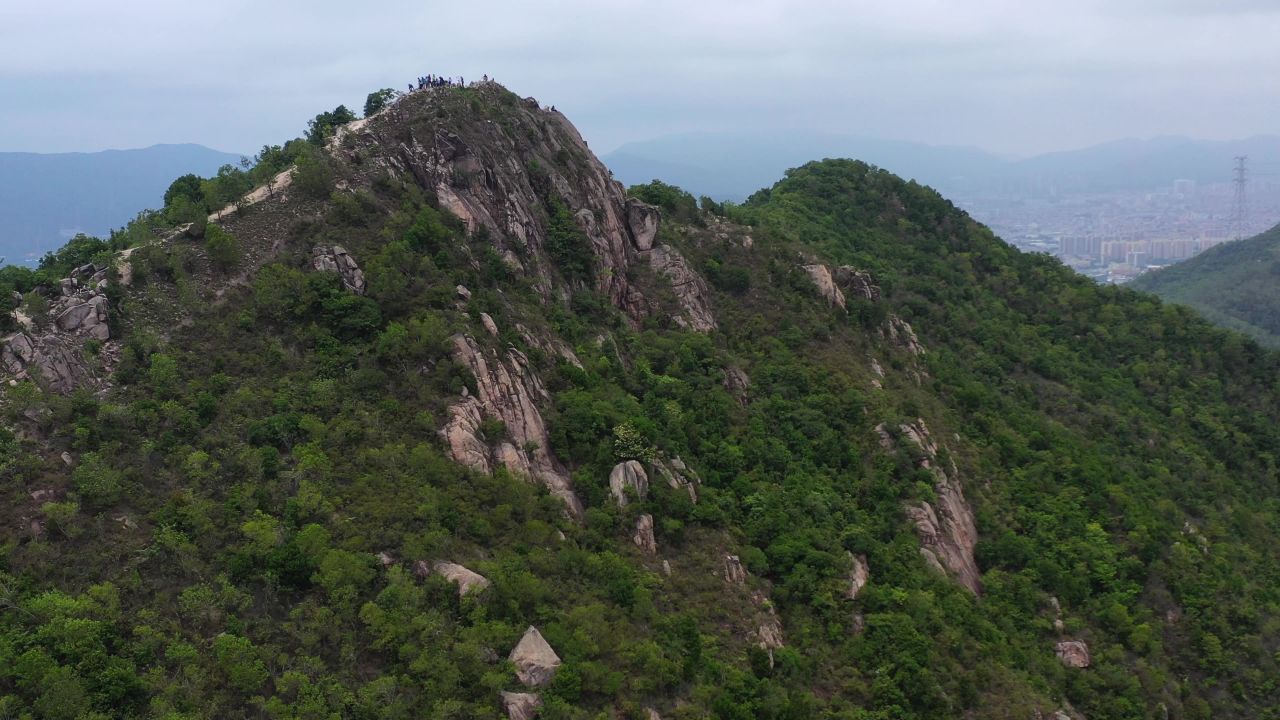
510, 391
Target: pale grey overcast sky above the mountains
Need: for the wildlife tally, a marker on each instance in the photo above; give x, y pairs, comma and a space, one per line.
1012, 76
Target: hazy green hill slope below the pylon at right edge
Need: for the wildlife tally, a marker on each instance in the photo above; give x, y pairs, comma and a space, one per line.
1235, 285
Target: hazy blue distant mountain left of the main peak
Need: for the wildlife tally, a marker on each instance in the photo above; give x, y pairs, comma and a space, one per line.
48, 198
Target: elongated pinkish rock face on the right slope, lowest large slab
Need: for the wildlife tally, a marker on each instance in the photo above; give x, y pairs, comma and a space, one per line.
948, 532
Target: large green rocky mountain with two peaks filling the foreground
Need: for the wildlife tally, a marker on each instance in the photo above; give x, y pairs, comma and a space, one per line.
452, 426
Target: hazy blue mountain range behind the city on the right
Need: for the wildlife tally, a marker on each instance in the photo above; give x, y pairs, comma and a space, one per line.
734, 166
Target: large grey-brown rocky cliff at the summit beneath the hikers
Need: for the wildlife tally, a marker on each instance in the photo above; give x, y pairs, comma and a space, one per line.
481, 172
